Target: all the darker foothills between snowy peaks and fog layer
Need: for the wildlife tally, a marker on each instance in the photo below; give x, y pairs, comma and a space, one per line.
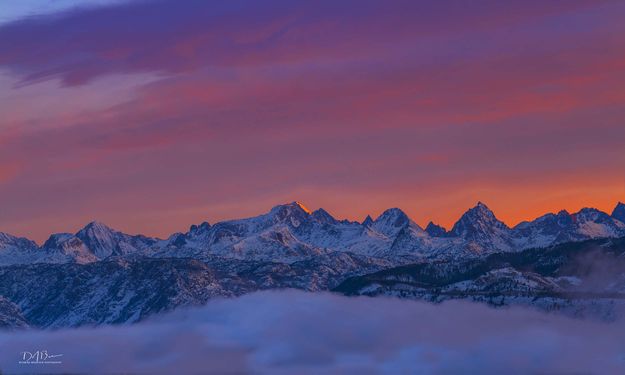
580, 279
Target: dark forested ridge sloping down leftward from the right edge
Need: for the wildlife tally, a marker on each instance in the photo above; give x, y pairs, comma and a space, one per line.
579, 278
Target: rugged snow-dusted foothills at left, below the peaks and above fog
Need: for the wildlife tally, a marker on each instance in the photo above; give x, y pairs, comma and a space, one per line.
125, 291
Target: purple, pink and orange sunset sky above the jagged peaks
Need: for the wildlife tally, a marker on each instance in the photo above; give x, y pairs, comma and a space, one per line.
153, 115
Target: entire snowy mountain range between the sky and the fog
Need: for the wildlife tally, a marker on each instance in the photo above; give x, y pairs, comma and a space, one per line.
571, 263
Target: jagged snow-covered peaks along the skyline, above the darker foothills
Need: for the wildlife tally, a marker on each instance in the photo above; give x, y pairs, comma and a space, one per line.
291, 232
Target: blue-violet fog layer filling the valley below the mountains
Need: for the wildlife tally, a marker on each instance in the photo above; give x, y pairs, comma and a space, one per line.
294, 332
